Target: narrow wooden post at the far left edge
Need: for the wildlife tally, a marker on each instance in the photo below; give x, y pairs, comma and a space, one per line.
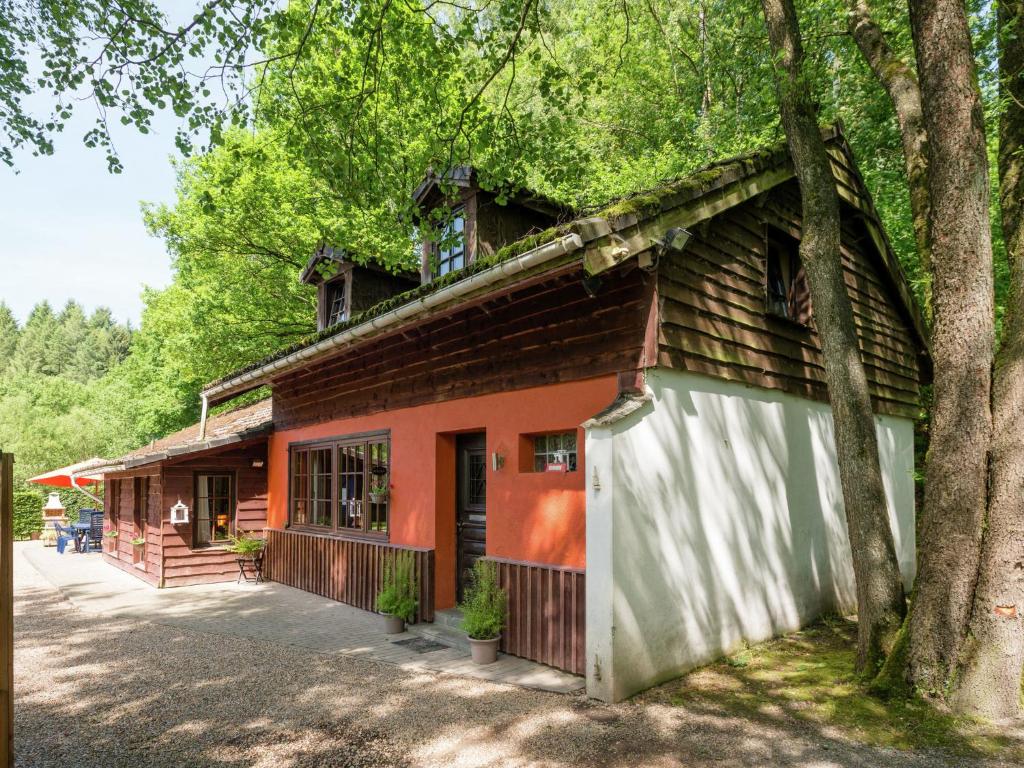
7, 610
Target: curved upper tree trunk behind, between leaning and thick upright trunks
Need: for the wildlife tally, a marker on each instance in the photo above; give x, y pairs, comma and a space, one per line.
901, 83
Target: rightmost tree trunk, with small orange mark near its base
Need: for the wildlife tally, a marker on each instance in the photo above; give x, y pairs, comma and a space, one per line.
990, 680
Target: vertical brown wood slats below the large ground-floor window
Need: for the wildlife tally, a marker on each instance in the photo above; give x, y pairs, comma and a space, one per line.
346, 570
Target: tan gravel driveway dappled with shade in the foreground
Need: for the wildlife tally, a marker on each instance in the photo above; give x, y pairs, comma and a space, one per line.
124, 693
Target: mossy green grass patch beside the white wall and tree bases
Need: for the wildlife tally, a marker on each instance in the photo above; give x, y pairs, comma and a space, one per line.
807, 680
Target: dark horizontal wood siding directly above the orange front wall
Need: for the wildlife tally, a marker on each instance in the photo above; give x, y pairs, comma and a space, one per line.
544, 332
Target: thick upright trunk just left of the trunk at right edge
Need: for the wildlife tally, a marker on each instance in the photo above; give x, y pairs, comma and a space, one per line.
956, 491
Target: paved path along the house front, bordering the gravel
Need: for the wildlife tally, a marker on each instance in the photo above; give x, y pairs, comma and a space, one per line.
275, 613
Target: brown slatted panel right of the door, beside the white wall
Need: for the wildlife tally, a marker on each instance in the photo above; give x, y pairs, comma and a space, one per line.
547, 614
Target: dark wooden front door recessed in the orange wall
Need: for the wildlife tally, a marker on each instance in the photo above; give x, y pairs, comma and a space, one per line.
472, 513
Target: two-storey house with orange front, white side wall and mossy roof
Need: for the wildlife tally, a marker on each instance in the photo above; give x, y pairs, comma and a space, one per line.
627, 412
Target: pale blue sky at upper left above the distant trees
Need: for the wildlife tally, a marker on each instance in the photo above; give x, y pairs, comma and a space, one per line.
72, 230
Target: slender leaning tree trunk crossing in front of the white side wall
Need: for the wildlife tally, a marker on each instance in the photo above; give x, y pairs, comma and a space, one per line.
881, 603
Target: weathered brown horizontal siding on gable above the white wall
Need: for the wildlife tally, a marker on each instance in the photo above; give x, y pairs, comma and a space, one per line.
714, 322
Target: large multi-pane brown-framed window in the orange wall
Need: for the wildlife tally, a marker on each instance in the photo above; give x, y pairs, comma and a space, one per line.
343, 485
